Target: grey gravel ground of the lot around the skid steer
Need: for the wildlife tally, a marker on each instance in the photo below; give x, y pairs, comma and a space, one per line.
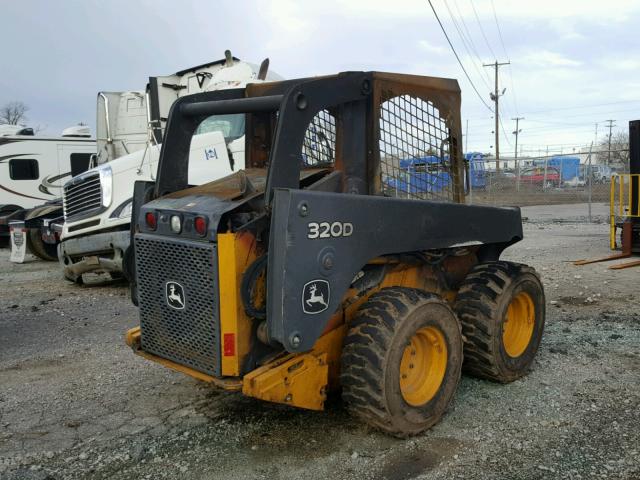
76, 403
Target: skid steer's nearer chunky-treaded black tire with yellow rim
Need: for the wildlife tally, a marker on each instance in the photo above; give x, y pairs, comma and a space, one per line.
377, 343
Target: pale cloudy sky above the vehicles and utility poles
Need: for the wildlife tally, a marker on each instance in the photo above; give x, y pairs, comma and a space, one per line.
573, 63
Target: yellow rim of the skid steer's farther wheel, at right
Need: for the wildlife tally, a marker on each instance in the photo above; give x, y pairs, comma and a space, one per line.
517, 328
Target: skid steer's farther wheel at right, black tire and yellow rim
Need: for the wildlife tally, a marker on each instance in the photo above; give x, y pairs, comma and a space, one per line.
485, 304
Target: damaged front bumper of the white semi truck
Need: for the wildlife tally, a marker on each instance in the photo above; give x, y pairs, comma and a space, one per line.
102, 252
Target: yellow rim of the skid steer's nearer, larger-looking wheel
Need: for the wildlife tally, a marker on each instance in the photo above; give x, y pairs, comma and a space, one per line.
423, 365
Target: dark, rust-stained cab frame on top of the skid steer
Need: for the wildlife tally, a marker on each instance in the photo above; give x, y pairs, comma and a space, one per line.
290, 106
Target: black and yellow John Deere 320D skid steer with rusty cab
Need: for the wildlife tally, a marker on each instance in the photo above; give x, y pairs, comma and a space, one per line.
342, 257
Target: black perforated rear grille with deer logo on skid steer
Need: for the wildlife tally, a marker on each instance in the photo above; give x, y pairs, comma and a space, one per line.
188, 335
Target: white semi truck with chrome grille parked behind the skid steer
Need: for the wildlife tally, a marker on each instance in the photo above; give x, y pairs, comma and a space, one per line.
97, 204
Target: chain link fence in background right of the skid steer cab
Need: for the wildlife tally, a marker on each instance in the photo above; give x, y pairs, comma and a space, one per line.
544, 180
